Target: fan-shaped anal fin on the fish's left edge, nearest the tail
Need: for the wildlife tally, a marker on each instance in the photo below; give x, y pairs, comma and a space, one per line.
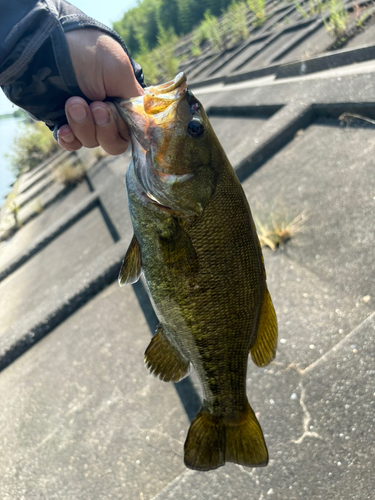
164, 360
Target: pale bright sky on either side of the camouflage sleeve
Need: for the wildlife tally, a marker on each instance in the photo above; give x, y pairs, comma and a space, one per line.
106, 12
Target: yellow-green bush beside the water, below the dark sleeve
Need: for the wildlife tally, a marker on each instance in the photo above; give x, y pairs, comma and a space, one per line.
33, 144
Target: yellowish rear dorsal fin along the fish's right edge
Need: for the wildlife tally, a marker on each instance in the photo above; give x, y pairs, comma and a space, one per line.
264, 348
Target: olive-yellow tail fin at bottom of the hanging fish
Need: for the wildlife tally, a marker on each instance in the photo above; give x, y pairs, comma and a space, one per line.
213, 440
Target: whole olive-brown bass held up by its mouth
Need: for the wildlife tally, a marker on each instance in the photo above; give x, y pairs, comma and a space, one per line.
196, 245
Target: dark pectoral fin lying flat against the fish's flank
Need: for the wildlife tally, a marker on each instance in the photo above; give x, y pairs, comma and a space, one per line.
177, 249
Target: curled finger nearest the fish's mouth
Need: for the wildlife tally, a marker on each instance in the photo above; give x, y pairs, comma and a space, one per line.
110, 134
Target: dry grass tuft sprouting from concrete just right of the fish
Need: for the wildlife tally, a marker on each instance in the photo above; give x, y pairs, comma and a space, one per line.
276, 229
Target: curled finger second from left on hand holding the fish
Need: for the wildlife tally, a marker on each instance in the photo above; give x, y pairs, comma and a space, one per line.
81, 121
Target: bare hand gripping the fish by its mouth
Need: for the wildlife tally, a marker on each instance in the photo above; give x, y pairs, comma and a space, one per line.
102, 70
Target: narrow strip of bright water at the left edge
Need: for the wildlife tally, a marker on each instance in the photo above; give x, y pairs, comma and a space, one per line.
8, 131
